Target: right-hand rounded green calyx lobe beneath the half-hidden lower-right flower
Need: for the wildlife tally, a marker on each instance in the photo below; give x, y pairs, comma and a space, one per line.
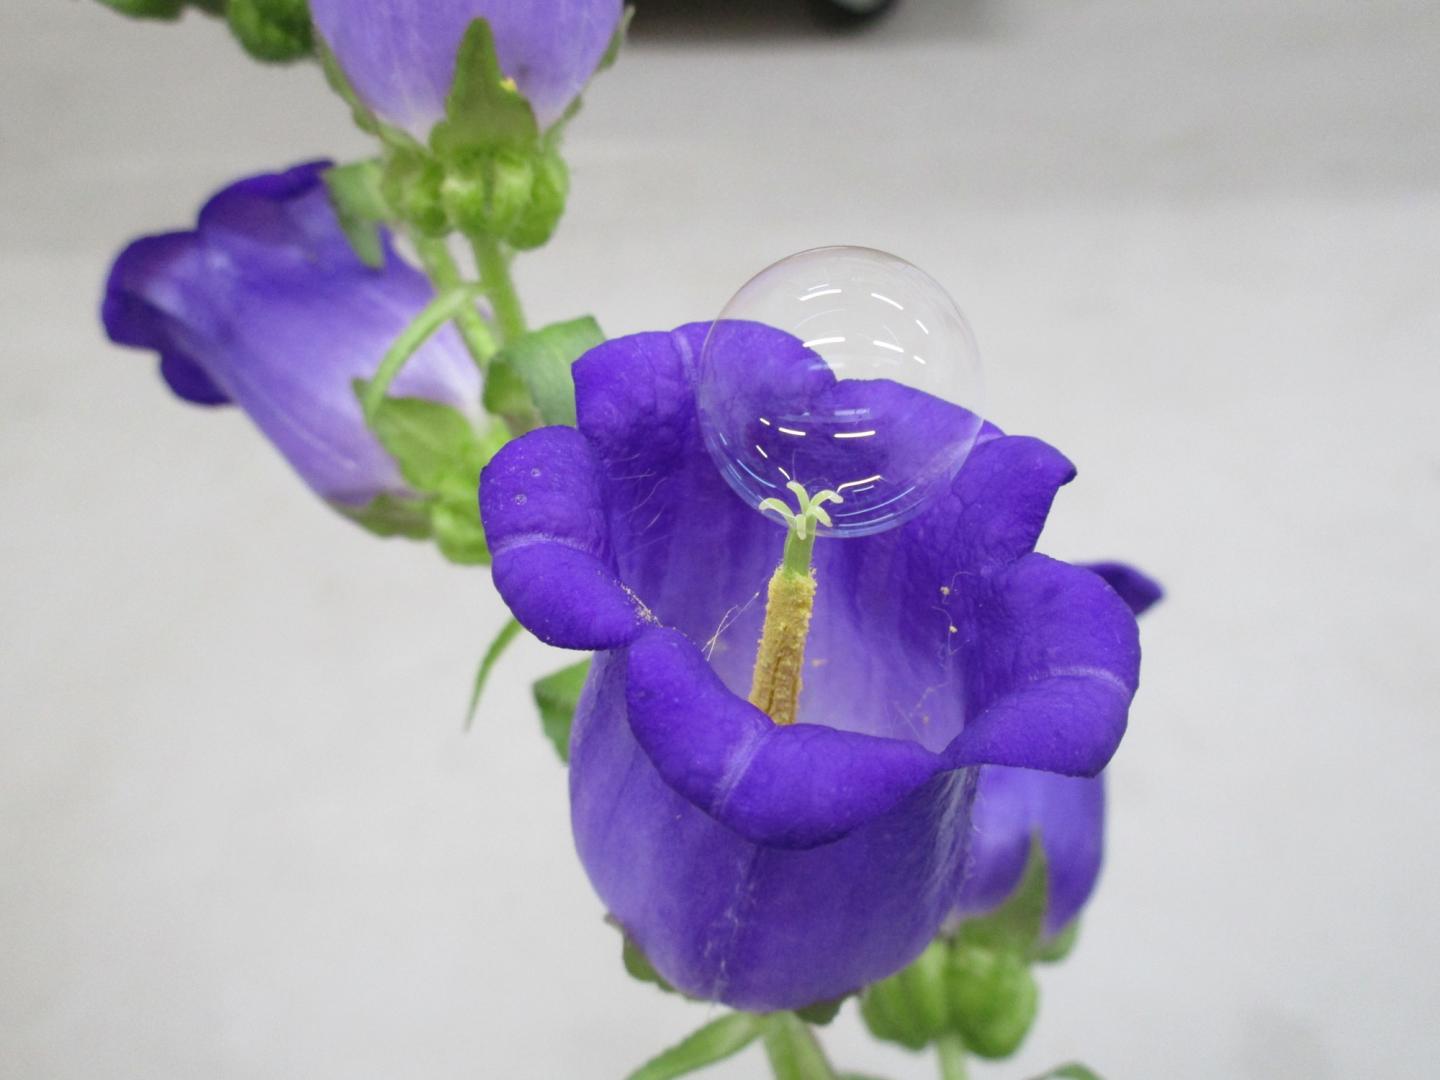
993, 999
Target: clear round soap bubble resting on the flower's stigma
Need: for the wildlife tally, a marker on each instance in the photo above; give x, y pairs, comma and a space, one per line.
842, 369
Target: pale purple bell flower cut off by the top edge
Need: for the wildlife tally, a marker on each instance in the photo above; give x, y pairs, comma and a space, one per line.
400, 57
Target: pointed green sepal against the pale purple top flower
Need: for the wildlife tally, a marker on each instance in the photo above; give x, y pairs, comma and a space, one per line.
485, 110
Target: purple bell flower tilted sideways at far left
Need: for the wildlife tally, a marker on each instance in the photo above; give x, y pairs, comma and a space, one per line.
264, 305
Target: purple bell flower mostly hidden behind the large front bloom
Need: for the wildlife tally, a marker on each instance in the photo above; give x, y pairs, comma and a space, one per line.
1065, 813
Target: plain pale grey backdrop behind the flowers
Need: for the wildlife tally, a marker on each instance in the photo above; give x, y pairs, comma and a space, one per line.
241, 832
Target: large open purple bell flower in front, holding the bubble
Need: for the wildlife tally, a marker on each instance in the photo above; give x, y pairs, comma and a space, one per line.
778, 866
